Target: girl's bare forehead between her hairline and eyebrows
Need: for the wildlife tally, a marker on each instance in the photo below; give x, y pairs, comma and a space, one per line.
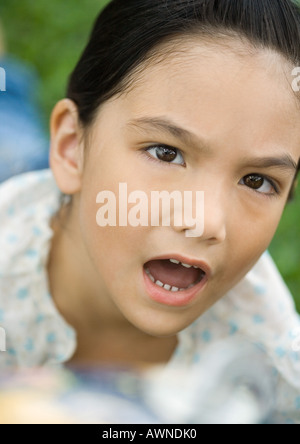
229, 91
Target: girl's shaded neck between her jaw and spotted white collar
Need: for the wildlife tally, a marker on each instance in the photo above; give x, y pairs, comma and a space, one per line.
104, 334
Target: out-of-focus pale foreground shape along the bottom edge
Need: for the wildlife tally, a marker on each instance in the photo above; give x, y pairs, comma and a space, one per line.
233, 384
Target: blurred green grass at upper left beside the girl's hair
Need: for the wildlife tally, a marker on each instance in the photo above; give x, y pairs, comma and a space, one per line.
51, 36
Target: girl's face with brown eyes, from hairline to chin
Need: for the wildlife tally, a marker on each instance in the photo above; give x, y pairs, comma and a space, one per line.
202, 120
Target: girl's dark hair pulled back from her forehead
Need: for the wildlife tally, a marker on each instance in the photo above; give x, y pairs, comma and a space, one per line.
127, 31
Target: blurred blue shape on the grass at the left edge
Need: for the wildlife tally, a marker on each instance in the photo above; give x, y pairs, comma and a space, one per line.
23, 143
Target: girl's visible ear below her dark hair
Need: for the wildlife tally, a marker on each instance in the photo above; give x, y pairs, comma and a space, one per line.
66, 150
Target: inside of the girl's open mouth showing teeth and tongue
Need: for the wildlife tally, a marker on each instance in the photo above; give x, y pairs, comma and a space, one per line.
173, 275
